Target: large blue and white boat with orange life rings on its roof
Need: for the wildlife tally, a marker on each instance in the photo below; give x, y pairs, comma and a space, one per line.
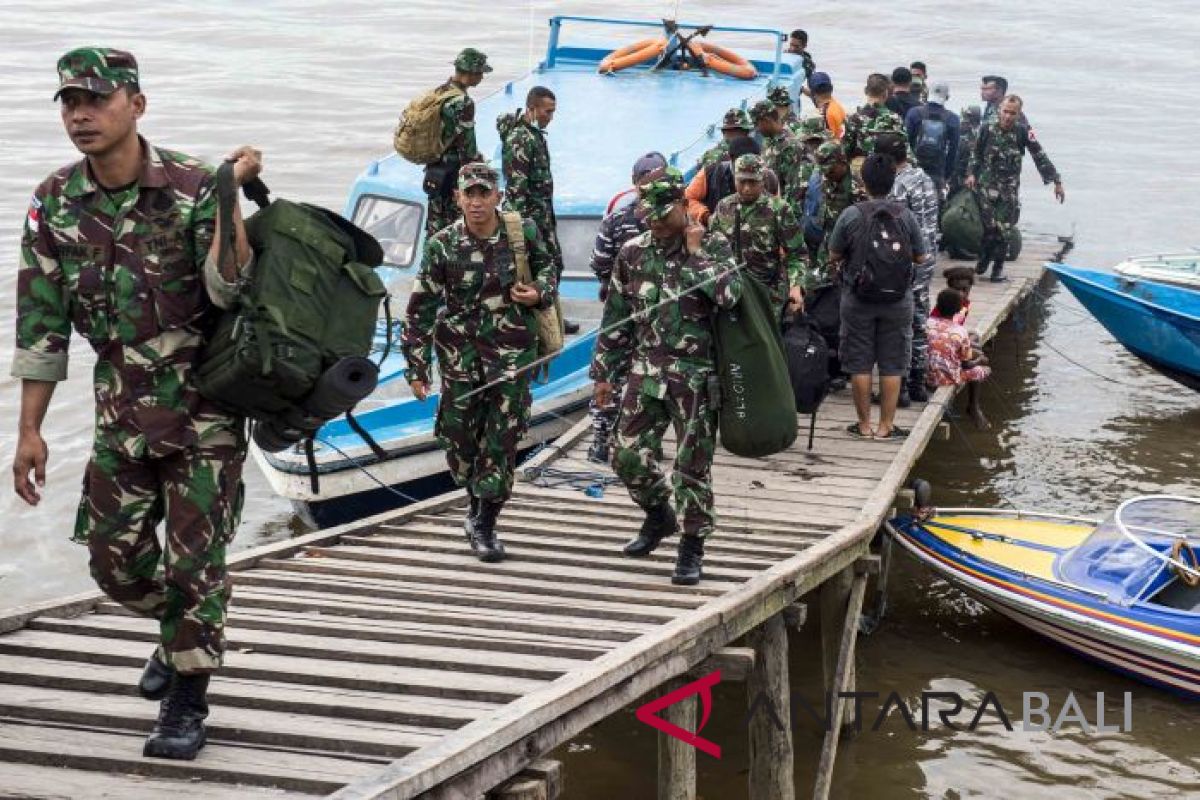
605, 122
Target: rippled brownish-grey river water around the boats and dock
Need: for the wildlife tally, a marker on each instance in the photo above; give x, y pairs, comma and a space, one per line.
1079, 424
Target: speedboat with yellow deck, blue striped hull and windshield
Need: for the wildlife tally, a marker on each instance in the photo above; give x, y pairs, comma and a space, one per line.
1124, 592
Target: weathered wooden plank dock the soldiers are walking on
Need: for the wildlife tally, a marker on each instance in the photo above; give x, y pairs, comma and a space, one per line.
381, 660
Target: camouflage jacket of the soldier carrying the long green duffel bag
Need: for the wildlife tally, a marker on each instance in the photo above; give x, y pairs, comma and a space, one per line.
658, 318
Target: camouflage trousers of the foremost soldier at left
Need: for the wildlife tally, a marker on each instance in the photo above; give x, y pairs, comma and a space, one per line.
199, 492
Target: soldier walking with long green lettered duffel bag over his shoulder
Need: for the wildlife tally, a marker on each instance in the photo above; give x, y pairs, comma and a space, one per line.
658, 324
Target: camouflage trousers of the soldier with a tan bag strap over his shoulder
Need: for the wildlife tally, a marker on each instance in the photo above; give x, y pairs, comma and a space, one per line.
482, 432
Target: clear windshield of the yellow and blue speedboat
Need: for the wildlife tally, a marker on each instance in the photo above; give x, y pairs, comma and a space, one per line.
1130, 551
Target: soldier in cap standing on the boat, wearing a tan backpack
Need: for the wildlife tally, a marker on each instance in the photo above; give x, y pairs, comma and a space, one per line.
459, 136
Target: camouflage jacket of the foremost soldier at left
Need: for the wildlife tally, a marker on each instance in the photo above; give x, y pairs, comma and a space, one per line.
127, 272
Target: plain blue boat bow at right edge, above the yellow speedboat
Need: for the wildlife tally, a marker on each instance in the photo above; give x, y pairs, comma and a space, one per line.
1157, 322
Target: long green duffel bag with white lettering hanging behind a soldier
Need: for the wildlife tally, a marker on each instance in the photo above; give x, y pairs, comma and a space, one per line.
758, 408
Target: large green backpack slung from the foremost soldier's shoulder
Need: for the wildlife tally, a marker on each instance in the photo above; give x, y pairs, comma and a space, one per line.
305, 320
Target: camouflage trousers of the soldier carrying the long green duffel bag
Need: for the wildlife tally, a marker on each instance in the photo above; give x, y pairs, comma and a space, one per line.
644, 420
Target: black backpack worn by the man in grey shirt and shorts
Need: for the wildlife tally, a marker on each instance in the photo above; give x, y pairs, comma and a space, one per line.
880, 268
